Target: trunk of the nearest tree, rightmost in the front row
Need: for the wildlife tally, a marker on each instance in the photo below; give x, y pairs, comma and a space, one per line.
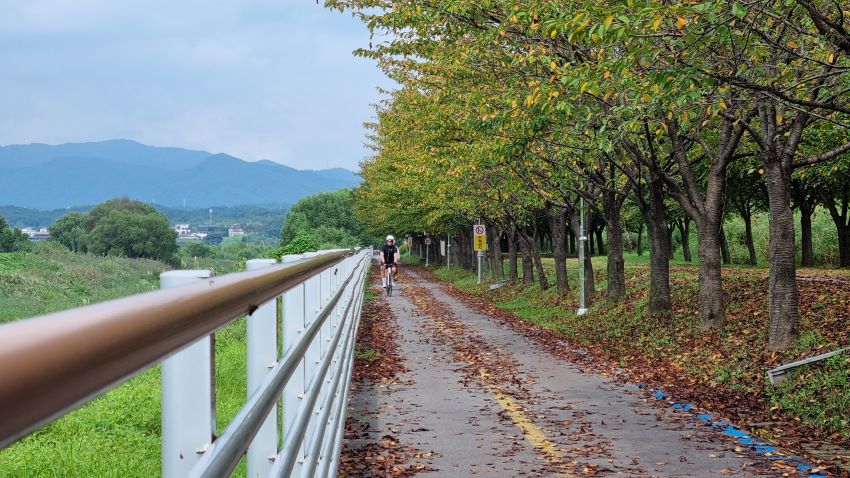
782, 301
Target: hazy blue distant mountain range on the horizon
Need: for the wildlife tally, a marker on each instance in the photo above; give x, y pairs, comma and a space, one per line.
61, 176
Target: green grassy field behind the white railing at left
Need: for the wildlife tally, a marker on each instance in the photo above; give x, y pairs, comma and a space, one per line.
117, 435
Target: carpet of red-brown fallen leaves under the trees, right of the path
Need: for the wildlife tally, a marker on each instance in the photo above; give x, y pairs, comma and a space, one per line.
720, 371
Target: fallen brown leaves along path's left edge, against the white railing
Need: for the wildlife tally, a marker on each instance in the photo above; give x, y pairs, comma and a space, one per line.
377, 363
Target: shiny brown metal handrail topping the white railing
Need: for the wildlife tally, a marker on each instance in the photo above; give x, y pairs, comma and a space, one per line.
53, 363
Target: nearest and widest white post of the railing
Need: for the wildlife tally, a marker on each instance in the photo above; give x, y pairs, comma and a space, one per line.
187, 422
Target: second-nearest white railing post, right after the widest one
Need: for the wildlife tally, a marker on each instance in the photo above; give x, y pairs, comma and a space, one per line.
262, 356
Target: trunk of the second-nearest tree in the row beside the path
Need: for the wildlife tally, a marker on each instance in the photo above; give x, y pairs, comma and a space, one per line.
712, 307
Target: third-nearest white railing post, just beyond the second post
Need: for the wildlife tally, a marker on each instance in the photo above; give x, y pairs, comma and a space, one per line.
293, 327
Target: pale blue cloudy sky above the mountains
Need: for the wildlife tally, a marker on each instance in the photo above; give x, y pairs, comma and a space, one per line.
258, 79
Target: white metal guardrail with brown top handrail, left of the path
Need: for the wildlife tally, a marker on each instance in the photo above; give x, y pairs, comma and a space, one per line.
50, 364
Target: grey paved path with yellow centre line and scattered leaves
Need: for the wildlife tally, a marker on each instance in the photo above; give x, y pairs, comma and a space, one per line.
445, 390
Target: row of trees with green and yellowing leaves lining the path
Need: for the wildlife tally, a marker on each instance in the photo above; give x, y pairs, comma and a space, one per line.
515, 111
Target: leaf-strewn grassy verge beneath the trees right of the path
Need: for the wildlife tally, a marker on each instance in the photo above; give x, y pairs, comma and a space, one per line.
722, 369
